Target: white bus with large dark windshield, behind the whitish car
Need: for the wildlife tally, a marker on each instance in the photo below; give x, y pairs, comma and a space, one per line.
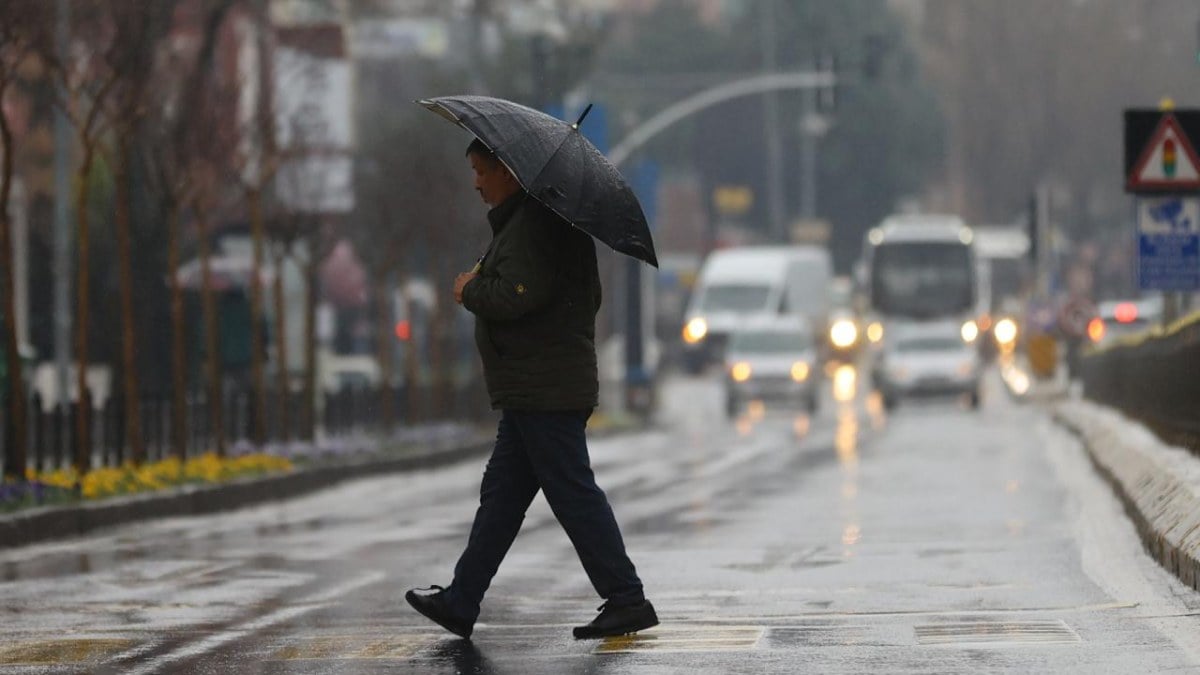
921, 270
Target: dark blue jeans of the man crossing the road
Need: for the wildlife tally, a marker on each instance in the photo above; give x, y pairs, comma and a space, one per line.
545, 451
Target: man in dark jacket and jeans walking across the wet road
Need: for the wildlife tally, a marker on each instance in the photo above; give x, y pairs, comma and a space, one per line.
536, 295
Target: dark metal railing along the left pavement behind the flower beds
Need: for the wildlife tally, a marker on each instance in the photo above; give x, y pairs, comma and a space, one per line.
52, 439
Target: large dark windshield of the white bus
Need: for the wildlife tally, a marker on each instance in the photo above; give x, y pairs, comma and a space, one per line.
922, 280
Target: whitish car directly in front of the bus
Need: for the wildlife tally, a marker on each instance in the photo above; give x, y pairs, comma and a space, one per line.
927, 360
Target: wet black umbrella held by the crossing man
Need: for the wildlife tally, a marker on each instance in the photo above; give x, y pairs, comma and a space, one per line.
559, 168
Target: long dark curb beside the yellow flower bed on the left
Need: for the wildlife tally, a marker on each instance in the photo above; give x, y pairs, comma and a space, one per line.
61, 522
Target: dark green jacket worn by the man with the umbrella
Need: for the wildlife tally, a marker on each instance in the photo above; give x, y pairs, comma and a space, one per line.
536, 301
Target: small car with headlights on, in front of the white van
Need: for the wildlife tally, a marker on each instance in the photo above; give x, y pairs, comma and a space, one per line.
772, 361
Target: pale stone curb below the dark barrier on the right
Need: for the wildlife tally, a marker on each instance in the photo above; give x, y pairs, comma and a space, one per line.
1165, 509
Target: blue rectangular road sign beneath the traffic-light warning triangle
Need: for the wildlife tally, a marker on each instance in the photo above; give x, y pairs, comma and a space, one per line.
1169, 243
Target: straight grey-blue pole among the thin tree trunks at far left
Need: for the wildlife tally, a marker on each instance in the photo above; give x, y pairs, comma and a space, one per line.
62, 218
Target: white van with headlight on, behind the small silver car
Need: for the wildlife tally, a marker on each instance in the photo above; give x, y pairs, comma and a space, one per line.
743, 284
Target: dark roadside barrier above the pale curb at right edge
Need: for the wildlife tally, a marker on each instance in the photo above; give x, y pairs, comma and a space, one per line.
1154, 378
